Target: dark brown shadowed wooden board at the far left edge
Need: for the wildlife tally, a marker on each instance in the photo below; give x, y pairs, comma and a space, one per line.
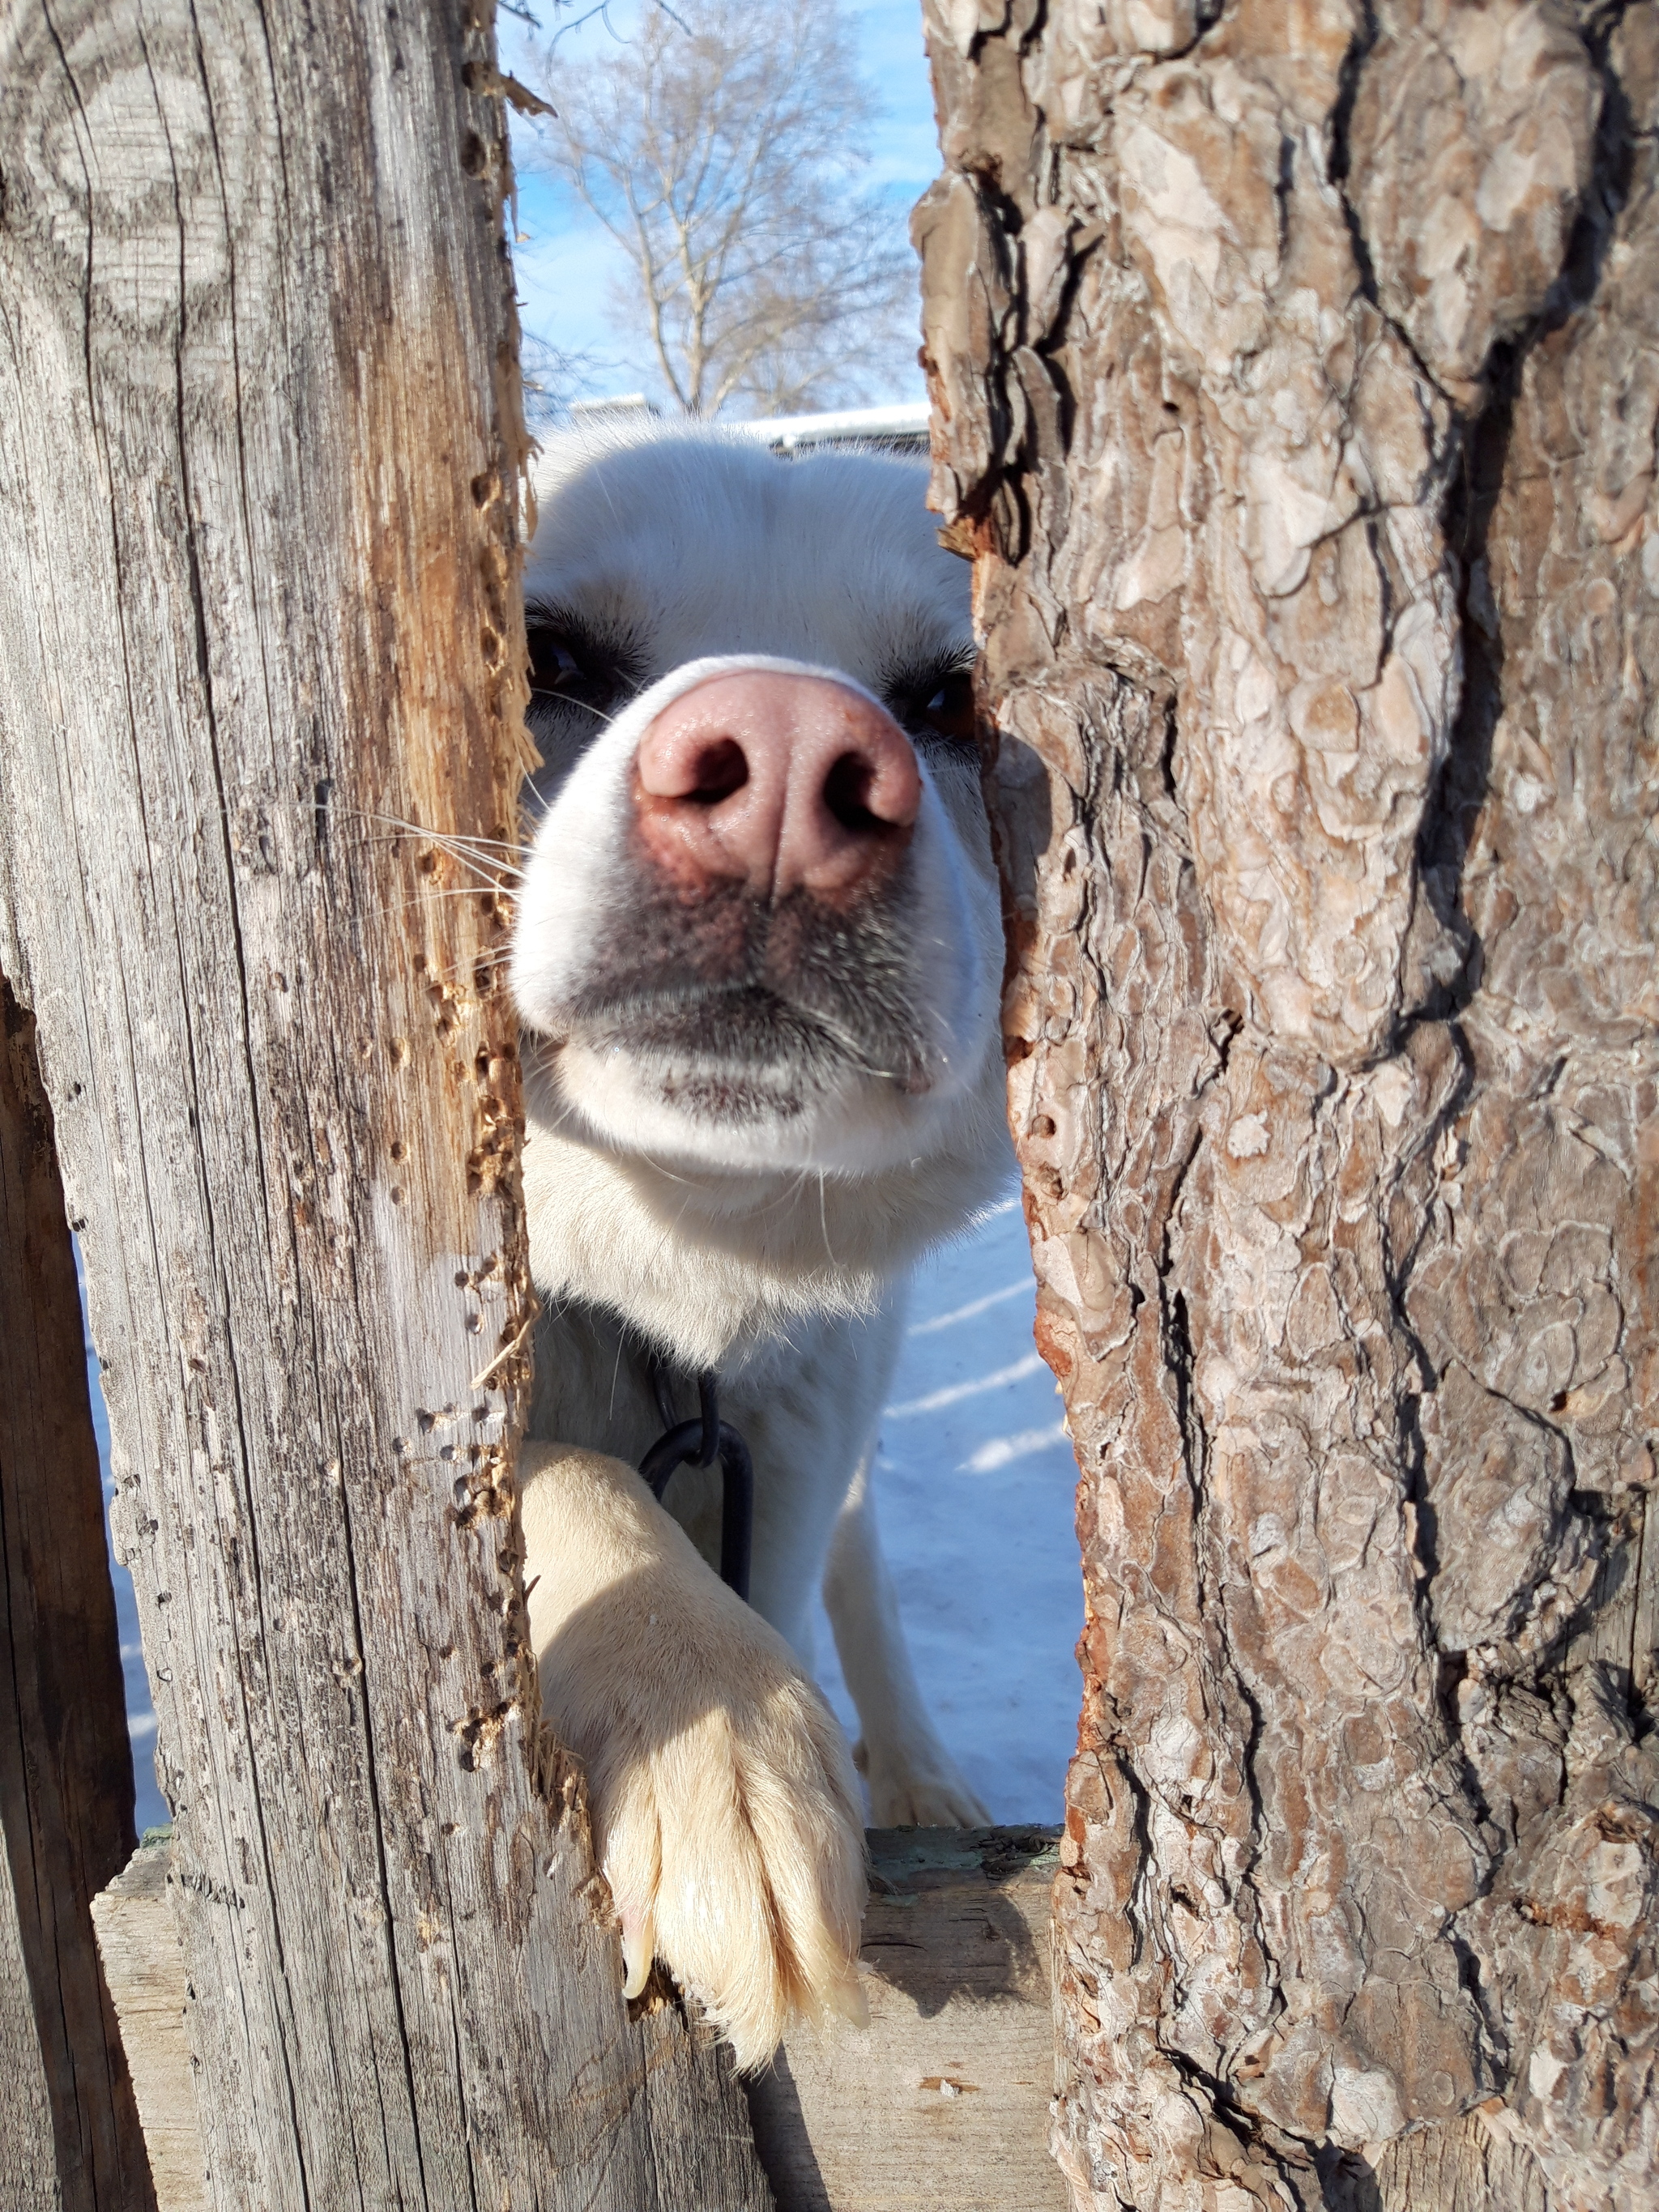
70, 2133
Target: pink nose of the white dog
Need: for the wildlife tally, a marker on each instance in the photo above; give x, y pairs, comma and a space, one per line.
782, 782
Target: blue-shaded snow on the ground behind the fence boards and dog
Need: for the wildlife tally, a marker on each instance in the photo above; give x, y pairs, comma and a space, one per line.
974, 1494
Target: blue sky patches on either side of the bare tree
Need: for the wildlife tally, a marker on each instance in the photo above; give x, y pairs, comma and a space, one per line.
565, 262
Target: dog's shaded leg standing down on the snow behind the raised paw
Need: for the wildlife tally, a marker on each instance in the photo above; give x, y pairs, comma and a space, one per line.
912, 1777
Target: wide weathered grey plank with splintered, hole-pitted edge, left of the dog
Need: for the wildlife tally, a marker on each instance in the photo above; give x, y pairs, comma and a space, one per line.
260, 455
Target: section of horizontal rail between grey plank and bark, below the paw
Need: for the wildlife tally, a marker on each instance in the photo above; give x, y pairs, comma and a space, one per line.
946, 2098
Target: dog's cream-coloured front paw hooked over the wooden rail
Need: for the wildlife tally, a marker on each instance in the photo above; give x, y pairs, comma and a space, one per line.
722, 1797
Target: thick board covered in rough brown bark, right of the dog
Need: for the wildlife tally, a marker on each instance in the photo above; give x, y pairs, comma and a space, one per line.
1295, 395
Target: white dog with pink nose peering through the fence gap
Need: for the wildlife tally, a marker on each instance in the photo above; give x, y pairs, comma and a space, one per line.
758, 959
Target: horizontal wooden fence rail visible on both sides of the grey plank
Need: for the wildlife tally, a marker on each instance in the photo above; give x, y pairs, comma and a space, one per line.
948, 2091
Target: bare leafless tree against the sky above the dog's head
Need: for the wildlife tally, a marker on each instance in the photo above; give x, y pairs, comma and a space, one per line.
724, 149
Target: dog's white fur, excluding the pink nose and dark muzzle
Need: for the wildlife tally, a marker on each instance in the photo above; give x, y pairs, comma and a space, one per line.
769, 1244
